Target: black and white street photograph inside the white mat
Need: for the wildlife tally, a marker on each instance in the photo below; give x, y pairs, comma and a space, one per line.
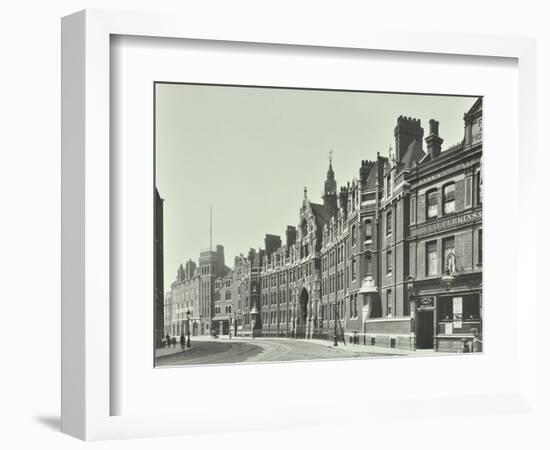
301, 224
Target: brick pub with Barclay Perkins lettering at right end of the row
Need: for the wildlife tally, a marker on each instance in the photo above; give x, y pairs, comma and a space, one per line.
445, 240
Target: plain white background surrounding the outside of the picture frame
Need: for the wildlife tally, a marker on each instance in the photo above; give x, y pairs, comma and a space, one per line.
30, 223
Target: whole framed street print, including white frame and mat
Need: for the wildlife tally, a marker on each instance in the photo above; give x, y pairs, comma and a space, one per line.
263, 227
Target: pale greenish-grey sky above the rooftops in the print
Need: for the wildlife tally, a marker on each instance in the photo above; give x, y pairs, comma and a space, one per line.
249, 153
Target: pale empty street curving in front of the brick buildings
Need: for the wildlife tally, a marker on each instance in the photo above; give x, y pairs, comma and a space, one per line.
239, 350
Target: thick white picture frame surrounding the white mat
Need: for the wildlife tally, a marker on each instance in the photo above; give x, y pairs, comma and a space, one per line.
87, 386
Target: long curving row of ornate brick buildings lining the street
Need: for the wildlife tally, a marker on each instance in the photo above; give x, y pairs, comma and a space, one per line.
392, 258
